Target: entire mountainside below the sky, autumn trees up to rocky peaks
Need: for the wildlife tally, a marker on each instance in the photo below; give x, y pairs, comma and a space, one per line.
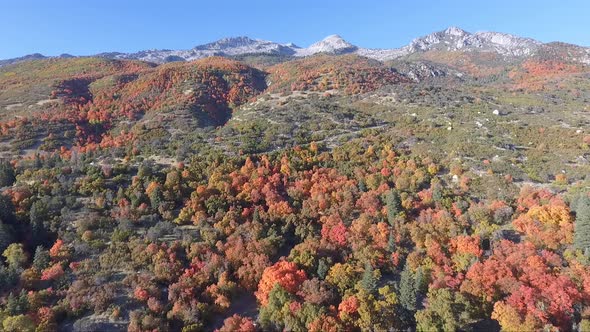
259, 186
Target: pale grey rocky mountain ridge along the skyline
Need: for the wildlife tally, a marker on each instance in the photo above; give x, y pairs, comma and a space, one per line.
451, 39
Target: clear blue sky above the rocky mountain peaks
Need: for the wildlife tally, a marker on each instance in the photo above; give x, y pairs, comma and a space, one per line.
83, 27
